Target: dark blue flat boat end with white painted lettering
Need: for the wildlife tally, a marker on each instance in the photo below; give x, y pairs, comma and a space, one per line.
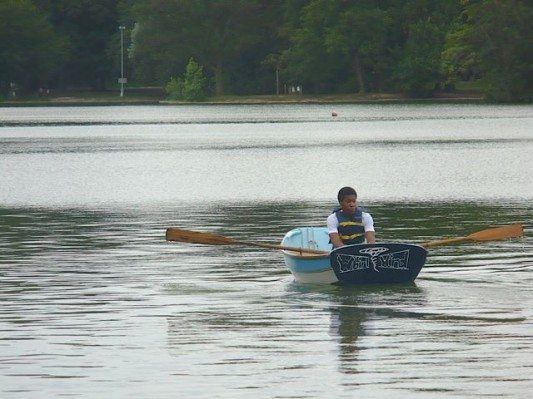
377, 263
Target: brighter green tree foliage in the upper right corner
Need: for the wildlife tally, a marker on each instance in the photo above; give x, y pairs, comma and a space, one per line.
495, 42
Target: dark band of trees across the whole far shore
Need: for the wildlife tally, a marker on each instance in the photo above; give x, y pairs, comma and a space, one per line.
416, 47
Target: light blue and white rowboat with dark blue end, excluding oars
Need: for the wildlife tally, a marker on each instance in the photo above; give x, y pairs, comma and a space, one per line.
380, 263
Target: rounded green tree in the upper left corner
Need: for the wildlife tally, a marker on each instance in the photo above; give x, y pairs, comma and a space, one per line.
30, 50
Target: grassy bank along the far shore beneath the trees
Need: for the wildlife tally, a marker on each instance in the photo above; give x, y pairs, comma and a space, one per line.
155, 96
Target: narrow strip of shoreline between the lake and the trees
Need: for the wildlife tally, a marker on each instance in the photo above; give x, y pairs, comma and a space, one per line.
111, 99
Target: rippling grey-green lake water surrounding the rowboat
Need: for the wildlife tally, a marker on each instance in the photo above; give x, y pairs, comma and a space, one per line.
95, 303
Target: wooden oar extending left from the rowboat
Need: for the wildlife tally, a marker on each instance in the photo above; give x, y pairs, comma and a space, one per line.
197, 237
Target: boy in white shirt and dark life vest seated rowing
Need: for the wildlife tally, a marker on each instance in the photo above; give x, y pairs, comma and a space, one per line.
349, 224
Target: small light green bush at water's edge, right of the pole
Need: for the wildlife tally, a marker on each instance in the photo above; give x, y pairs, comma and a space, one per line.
192, 87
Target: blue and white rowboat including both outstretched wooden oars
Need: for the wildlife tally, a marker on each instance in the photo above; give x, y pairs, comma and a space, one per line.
310, 257
